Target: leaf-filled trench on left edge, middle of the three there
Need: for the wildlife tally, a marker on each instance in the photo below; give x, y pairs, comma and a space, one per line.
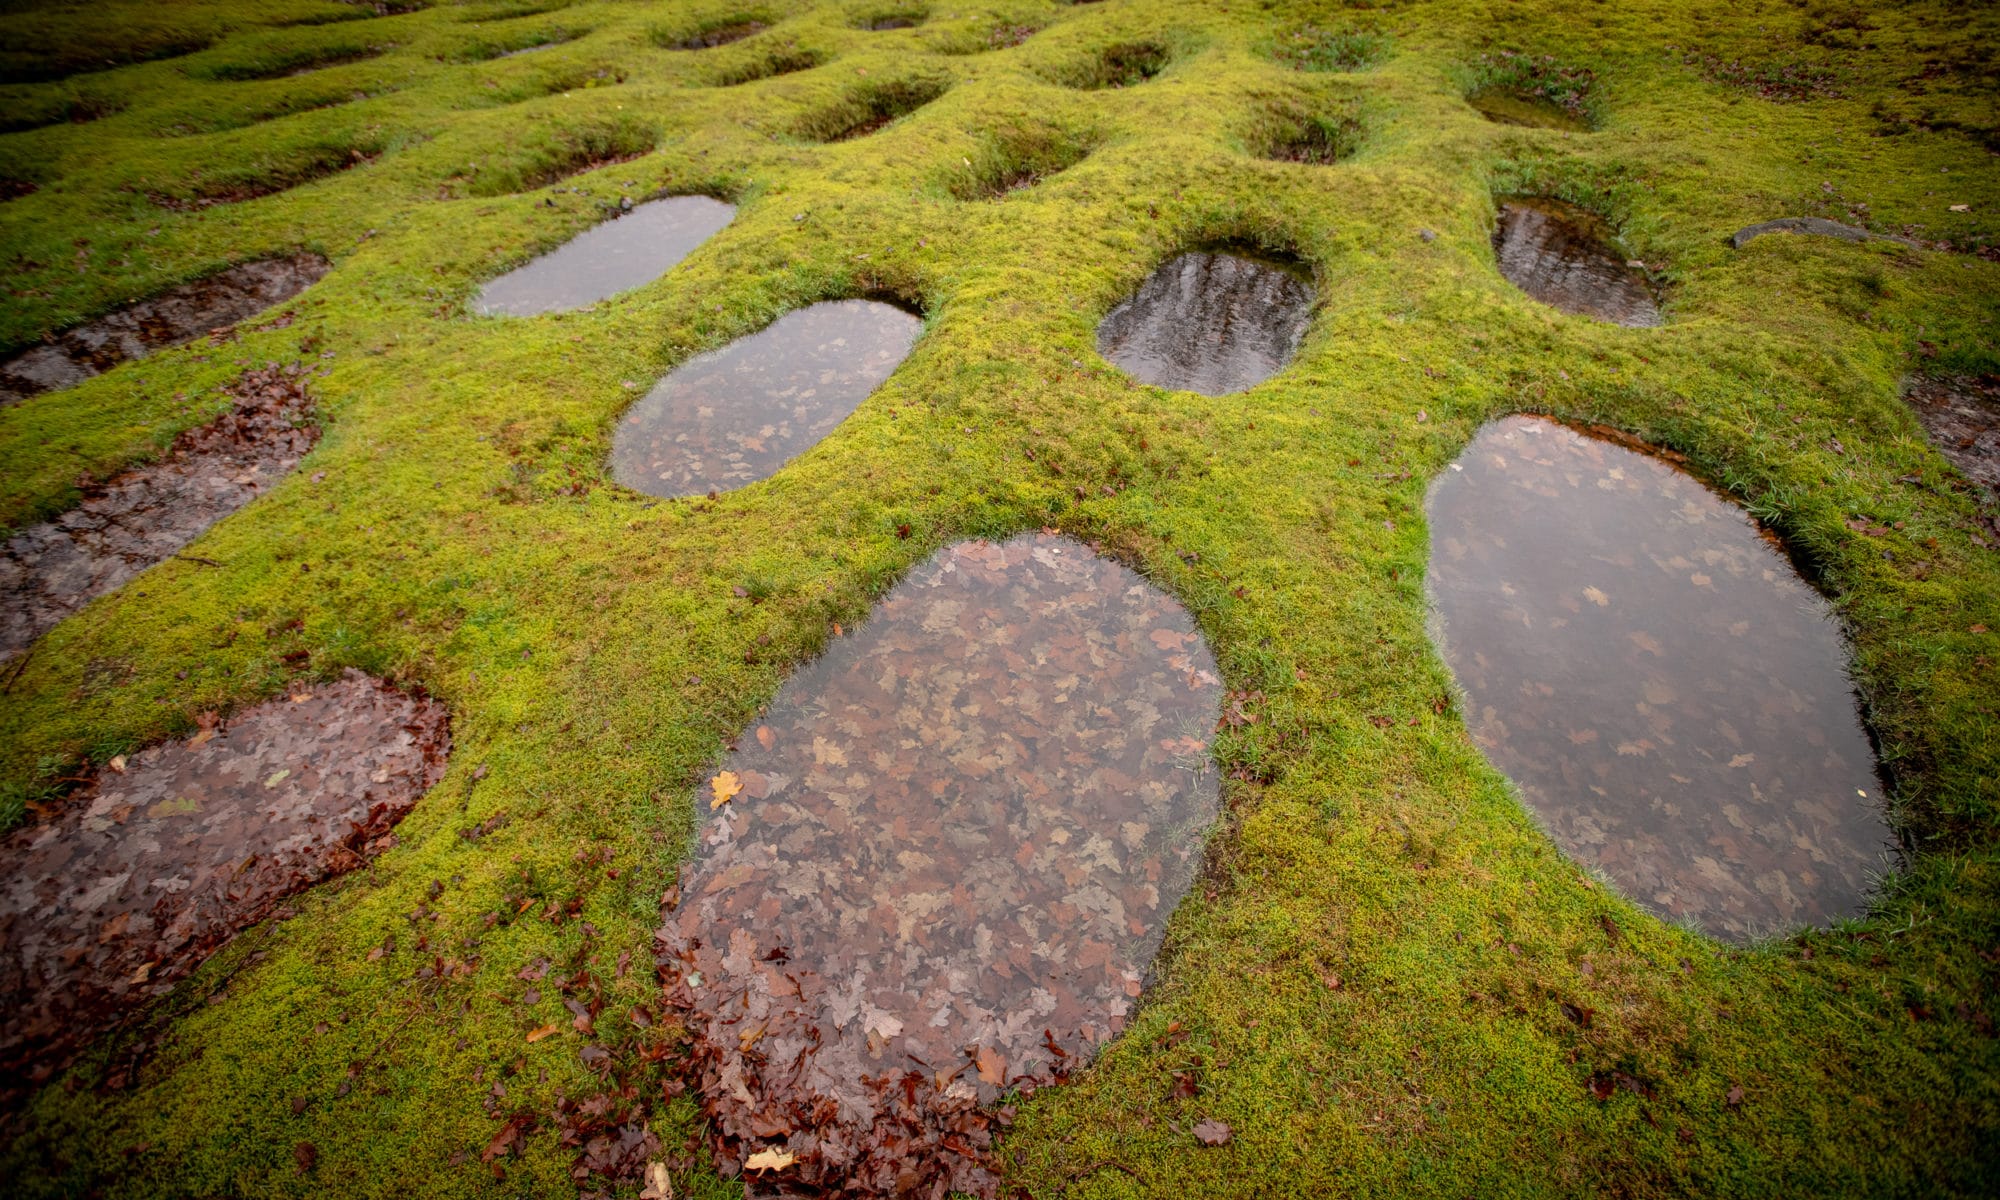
149, 513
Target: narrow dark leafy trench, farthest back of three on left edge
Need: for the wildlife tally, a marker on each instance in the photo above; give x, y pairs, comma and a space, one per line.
169, 319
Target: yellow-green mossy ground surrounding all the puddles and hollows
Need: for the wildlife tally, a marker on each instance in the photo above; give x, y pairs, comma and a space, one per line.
457, 529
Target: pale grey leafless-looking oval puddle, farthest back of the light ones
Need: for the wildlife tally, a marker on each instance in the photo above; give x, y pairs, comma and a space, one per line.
615, 257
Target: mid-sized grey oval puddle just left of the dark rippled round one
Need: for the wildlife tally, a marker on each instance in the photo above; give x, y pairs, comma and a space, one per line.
737, 415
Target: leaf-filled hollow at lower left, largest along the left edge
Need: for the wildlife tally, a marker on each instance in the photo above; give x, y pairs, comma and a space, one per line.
153, 869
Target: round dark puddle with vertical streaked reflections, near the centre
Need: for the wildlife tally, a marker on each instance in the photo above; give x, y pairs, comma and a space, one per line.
1209, 323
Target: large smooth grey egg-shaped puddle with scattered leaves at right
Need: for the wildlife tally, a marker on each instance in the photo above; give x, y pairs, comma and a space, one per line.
1657, 679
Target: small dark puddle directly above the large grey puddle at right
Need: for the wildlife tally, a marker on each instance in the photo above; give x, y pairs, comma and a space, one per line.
1563, 257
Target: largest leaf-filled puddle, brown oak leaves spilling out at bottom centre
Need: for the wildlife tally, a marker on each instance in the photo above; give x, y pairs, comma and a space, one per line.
955, 851
